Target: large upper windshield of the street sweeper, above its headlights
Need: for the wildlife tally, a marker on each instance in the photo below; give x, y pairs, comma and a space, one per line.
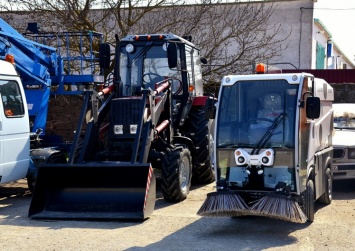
256, 114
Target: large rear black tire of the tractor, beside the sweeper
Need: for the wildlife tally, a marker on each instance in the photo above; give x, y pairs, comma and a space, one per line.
199, 129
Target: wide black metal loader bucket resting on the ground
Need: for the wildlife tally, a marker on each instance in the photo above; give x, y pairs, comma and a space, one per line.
95, 190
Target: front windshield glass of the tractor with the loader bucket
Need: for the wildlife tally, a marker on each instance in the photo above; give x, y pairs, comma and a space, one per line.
144, 68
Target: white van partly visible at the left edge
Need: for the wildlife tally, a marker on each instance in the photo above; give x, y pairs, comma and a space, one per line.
14, 126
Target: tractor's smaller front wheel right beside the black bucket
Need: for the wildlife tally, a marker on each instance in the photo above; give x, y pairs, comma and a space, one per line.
176, 173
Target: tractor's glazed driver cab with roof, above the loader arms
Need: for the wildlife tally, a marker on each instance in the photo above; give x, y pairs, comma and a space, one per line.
145, 62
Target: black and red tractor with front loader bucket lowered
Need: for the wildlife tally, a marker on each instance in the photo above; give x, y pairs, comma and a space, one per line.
149, 119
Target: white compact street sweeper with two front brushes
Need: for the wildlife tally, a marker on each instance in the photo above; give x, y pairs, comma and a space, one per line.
273, 147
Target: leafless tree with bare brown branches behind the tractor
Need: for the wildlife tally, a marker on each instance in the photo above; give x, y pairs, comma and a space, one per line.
232, 35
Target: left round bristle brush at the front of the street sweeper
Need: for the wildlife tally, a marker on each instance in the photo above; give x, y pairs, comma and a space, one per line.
223, 204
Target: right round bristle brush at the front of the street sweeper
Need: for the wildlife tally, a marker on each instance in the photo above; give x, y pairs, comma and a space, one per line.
279, 208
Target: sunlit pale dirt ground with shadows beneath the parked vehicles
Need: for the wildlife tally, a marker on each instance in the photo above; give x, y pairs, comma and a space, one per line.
177, 227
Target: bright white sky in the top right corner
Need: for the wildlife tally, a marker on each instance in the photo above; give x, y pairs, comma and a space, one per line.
338, 16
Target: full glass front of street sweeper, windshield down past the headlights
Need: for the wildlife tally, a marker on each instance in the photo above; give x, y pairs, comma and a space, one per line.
255, 137
